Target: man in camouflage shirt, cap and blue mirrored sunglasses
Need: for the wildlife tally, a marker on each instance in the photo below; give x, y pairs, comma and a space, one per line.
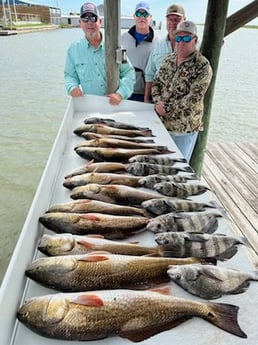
178, 89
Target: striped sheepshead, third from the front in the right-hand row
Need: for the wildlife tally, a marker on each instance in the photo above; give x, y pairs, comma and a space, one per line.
203, 223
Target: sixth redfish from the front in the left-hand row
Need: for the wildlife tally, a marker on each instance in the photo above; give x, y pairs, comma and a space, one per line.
113, 193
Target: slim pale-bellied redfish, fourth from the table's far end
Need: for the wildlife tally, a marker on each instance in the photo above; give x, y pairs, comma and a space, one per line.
119, 143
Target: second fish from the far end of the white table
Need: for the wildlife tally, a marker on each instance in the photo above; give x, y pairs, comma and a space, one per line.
104, 129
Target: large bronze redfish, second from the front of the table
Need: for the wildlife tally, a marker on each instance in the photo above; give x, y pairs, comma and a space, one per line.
98, 271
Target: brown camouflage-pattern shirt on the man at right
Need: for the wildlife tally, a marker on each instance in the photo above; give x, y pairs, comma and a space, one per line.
182, 89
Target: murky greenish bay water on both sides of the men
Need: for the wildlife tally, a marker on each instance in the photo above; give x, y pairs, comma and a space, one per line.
33, 101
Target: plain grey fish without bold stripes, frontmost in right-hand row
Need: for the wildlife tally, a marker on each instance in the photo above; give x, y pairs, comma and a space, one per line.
211, 282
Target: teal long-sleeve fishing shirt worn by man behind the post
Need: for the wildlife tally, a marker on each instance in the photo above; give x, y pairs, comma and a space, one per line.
85, 66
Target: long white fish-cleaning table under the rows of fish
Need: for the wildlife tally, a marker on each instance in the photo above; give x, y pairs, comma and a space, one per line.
16, 287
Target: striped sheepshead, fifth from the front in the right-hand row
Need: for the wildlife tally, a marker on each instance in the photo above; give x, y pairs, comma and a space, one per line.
180, 190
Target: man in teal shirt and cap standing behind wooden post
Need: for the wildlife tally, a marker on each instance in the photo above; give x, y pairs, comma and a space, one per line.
84, 71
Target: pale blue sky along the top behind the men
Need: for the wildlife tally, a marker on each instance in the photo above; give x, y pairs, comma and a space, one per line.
195, 9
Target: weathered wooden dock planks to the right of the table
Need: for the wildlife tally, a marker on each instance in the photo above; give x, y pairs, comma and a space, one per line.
230, 170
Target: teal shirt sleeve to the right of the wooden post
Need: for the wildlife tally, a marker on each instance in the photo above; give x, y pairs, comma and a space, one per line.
126, 80
